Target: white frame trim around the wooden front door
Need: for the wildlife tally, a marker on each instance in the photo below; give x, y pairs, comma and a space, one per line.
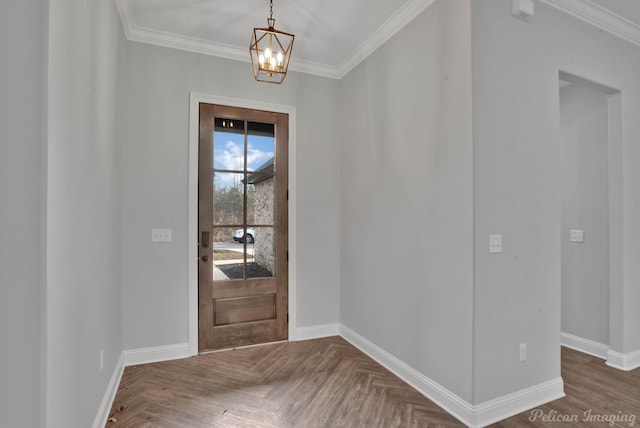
192, 240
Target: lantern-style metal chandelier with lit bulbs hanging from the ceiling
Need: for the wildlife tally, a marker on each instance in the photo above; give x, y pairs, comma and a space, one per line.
270, 51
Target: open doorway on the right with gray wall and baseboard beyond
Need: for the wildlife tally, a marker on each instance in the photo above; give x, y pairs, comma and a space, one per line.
591, 216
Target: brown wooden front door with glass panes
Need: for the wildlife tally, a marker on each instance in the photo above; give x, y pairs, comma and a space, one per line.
242, 226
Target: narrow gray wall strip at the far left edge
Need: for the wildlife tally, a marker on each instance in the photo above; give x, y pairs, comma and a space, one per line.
22, 96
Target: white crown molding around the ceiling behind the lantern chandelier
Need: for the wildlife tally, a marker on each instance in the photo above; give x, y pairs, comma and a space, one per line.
394, 24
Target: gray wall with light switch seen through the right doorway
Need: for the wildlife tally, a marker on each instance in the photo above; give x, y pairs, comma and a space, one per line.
584, 123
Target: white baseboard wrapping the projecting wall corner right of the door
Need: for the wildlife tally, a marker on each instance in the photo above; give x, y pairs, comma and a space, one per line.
471, 415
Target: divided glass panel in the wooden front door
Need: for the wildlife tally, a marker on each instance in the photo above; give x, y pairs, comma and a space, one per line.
243, 199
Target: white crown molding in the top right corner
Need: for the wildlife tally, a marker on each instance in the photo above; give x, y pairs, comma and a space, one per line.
598, 16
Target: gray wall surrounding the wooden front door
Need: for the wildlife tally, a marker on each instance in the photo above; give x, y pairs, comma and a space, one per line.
156, 83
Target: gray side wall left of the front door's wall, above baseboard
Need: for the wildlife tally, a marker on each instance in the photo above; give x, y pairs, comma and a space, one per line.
83, 302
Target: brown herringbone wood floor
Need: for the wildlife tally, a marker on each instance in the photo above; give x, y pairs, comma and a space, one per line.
327, 383
